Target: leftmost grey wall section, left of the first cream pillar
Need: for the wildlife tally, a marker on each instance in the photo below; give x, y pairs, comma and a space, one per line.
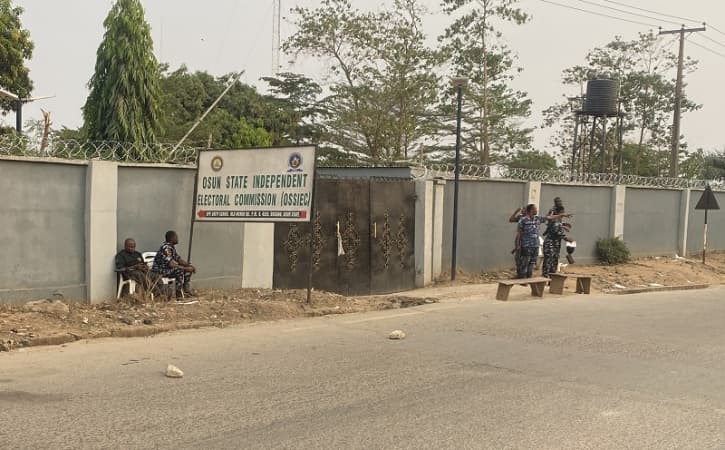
43, 231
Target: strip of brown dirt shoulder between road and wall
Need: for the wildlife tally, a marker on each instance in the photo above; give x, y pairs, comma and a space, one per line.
55, 322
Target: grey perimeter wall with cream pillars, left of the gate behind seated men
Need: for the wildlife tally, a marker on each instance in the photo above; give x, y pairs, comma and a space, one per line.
65, 220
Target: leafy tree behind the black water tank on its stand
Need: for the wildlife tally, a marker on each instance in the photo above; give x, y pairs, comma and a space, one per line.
643, 67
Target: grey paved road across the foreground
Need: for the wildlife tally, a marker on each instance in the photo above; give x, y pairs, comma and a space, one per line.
639, 371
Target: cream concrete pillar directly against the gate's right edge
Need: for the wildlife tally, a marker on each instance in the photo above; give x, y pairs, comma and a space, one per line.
423, 233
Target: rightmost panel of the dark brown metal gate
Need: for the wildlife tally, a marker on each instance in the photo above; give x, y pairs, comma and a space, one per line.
392, 218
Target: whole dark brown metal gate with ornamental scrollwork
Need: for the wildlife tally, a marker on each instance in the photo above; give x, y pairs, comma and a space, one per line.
362, 239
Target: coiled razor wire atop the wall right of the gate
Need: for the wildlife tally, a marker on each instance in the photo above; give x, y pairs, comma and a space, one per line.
472, 171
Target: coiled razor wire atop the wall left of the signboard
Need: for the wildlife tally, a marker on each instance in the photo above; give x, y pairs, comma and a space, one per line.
11, 145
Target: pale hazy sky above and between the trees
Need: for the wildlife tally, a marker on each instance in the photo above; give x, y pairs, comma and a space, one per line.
221, 36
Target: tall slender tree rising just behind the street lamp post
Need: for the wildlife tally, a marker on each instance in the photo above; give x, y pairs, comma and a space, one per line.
493, 110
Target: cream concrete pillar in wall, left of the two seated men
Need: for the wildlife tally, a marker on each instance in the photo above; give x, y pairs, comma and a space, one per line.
101, 223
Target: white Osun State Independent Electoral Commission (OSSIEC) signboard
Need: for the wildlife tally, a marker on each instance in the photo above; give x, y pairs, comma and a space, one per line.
255, 185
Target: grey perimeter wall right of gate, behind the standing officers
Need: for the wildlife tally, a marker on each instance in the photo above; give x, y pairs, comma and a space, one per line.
650, 221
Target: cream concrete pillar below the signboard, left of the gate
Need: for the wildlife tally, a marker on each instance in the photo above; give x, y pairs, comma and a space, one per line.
258, 255
